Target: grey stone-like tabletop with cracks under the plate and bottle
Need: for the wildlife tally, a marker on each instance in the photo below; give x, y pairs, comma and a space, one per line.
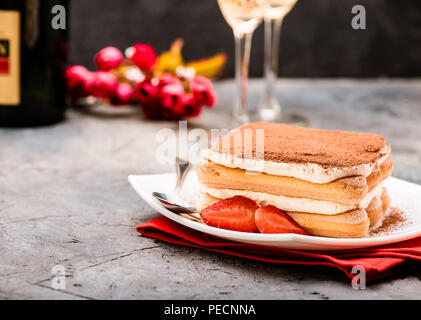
65, 201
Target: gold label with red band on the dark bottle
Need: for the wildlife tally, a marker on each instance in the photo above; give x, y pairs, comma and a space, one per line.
9, 57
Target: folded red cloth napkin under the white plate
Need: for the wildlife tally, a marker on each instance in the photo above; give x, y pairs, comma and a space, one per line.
378, 262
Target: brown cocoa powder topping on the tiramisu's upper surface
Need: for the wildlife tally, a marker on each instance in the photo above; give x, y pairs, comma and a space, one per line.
286, 143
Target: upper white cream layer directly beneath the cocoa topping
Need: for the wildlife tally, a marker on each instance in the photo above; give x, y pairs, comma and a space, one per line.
309, 171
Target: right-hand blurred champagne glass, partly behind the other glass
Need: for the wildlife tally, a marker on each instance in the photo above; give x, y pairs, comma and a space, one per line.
269, 107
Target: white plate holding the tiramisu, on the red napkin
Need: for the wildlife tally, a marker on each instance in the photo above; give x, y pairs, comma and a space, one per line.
405, 195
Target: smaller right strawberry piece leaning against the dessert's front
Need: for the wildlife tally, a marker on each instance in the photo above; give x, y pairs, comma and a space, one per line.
270, 219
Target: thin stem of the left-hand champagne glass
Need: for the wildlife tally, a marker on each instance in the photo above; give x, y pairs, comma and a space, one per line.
242, 61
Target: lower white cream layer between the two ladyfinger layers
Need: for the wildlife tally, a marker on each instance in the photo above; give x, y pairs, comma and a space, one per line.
294, 204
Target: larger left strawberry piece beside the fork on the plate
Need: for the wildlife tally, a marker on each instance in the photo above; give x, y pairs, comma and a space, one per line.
235, 213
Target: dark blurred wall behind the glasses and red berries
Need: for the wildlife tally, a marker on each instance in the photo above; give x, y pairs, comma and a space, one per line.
317, 38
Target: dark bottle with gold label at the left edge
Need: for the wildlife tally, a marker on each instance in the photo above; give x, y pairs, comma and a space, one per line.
33, 59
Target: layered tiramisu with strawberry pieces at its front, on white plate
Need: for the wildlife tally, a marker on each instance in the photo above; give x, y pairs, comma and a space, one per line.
310, 181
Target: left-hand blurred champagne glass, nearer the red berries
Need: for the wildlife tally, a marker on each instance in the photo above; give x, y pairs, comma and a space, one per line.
243, 16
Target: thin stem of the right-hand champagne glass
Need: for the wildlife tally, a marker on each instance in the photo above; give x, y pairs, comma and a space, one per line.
272, 34
